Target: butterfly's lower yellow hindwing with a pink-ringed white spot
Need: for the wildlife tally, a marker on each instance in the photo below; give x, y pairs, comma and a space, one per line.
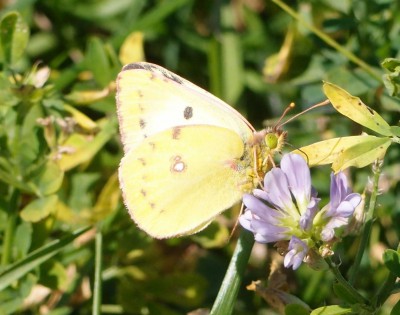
179, 179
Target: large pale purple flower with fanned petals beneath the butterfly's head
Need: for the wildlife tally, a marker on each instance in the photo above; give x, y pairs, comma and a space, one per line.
285, 207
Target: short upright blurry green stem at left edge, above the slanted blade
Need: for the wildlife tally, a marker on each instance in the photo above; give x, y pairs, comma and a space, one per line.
10, 229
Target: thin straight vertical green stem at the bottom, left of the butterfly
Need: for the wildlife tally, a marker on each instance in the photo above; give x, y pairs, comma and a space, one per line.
96, 310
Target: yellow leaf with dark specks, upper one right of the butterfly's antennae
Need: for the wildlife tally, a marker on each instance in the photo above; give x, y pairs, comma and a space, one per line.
353, 108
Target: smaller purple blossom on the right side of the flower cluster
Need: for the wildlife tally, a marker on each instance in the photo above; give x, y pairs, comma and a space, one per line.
341, 206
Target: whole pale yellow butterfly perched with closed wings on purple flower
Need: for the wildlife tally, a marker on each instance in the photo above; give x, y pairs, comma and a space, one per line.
188, 155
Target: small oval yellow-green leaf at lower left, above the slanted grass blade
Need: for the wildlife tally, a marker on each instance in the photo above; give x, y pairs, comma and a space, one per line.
39, 208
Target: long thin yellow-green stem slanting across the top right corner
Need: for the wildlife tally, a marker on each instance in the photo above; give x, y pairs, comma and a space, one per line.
348, 54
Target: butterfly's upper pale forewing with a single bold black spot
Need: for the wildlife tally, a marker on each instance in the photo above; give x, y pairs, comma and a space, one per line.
151, 99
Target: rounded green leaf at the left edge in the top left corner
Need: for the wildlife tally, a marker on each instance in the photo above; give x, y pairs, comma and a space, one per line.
14, 36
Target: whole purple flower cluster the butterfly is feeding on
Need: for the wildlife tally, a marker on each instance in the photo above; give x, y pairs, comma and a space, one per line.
287, 209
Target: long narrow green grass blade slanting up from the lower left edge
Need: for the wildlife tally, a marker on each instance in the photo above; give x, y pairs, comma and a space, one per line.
34, 259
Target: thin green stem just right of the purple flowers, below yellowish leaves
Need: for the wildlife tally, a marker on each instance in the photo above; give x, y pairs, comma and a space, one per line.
368, 223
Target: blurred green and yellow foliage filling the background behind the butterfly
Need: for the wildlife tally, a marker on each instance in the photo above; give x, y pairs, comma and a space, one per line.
60, 149
